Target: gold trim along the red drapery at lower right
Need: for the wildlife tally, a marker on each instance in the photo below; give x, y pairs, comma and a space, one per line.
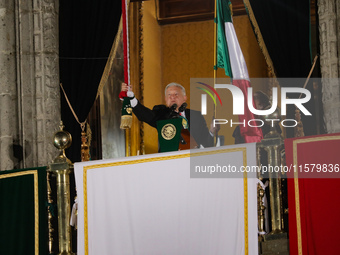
296, 182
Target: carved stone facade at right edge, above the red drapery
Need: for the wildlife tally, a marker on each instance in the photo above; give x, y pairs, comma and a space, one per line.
329, 28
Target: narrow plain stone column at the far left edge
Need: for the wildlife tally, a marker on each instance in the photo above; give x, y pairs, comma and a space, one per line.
8, 89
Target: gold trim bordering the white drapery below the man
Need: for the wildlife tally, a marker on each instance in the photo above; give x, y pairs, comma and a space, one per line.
133, 162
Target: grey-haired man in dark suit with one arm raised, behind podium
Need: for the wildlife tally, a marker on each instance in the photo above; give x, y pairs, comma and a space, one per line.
175, 99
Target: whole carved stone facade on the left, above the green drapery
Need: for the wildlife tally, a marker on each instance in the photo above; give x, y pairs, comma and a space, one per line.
29, 82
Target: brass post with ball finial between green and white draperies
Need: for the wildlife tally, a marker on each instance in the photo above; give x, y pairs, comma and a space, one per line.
61, 167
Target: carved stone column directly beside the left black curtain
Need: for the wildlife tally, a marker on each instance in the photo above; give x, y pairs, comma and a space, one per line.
46, 75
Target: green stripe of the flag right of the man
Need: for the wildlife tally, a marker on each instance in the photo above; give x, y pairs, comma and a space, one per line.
223, 15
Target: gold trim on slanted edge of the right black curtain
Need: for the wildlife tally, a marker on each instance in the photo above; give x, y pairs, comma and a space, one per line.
259, 37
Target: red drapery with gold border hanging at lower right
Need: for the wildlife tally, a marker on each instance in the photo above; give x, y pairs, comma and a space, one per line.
314, 194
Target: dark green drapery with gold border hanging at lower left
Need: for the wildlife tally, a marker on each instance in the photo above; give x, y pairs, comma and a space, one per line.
23, 215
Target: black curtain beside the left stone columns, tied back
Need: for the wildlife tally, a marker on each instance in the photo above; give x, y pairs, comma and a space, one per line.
86, 33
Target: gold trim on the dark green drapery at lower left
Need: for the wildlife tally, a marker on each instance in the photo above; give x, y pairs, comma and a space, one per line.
36, 203
